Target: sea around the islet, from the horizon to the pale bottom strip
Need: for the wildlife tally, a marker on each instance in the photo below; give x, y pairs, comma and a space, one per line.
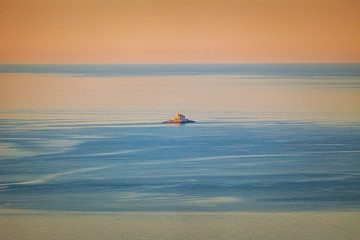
267, 137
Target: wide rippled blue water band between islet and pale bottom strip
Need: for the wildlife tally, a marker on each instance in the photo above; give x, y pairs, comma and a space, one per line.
219, 164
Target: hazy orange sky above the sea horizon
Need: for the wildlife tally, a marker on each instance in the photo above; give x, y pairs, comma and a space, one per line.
175, 31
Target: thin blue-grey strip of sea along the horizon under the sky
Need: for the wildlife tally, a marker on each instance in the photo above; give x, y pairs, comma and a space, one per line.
140, 70
